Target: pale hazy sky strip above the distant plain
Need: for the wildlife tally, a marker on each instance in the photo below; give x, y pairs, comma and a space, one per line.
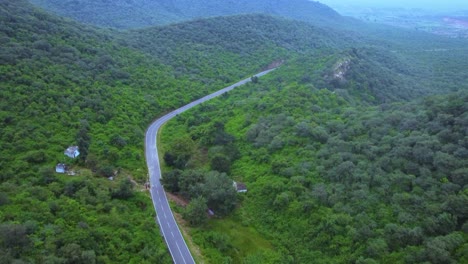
426, 4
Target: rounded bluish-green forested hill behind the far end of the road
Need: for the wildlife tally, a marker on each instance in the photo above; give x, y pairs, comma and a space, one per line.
214, 42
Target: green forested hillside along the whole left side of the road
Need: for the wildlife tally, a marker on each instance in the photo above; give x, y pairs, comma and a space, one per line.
66, 84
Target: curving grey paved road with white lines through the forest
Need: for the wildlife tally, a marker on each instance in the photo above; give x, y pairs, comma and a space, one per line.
171, 232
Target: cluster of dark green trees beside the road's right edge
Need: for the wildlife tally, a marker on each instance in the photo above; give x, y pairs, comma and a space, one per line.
211, 187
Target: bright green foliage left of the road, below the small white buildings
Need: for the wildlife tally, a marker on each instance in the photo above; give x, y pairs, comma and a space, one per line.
78, 220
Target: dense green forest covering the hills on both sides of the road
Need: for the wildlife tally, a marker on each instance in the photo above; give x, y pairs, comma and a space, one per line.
322, 139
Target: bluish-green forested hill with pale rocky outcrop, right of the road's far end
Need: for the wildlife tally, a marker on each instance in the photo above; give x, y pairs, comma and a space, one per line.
376, 76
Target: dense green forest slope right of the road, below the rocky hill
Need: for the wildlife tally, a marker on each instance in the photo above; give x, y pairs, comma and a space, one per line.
332, 182
